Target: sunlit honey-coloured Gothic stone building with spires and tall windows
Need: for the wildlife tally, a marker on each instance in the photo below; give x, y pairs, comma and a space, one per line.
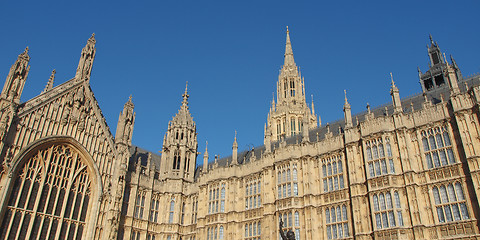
406, 170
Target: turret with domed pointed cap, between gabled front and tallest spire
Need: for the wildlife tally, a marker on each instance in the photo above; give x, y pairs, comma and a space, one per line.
180, 145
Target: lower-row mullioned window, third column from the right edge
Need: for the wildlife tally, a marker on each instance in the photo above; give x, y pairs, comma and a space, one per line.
337, 222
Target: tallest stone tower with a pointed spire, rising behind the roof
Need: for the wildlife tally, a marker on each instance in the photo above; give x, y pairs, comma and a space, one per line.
285, 118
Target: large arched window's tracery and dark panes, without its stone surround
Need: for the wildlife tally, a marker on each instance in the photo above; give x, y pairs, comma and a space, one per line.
50, 196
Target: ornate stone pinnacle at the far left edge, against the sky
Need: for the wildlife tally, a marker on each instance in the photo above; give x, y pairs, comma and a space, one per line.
12, 90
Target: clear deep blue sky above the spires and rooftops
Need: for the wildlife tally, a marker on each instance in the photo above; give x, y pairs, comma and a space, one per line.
231, 53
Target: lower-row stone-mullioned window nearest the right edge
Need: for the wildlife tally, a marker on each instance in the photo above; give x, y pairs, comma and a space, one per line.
450, 203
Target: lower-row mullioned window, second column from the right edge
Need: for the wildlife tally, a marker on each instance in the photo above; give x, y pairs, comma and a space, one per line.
385, 210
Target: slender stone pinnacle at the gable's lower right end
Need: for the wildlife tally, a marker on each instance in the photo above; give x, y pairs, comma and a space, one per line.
126, 120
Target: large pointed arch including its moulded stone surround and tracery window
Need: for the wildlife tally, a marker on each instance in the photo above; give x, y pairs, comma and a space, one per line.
53, 190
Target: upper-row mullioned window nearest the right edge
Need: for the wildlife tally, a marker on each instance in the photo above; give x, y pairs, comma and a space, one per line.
437, 147
